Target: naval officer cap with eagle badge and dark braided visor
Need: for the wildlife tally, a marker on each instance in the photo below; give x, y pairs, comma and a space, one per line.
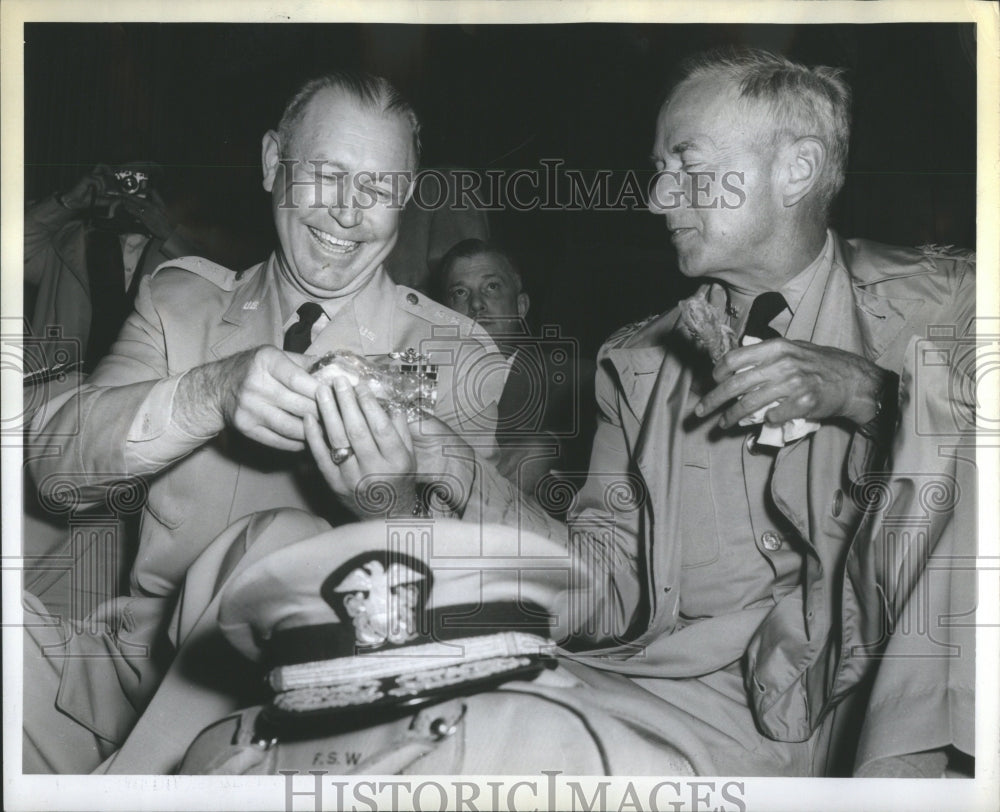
380, 616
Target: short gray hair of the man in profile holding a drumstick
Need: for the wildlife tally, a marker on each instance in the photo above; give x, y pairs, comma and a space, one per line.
799, 99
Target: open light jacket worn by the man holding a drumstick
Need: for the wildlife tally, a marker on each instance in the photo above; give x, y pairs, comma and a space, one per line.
803, 654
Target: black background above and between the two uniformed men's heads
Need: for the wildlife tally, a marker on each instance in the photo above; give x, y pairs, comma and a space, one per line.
197, 98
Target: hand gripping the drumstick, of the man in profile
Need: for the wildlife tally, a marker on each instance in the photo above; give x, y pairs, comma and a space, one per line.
806, 380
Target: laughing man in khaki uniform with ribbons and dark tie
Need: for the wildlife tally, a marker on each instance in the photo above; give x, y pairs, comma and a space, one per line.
198, 402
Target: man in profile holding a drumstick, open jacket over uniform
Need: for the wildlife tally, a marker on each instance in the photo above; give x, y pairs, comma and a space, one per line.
733, 606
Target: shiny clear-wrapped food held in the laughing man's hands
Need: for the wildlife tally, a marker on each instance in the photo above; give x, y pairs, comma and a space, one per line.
404, 383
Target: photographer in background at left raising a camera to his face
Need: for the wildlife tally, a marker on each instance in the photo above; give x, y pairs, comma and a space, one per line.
85, 250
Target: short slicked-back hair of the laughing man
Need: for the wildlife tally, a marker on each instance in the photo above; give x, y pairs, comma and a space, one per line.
373, 92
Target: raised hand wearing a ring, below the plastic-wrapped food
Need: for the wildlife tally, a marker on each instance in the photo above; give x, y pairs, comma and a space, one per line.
380, 446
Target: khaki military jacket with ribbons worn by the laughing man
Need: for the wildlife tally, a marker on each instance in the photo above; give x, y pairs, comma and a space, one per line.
191, 311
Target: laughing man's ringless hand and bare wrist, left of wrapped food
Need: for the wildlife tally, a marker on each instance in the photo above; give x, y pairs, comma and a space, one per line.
263, 393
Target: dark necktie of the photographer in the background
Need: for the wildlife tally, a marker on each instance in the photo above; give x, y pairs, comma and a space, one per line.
109, 302
